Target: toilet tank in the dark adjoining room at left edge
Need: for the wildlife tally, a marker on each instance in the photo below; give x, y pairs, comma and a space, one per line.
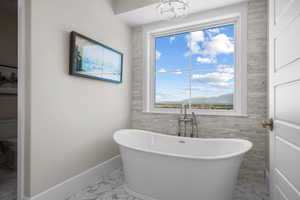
8, 129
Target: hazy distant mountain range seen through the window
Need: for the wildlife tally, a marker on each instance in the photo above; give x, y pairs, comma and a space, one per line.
226, 99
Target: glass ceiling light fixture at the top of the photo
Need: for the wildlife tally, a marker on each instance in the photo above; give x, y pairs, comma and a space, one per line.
171, 9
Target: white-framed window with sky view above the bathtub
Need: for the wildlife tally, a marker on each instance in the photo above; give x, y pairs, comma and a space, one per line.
199, 66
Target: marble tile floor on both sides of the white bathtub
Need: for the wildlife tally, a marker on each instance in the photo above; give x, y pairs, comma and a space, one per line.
111, 188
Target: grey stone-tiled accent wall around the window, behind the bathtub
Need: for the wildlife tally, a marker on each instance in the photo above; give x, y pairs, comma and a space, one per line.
220, 126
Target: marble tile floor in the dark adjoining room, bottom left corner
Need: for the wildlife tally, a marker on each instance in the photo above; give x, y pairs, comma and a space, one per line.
8, 184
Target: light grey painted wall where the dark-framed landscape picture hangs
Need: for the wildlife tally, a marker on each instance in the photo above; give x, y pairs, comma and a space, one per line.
71, 120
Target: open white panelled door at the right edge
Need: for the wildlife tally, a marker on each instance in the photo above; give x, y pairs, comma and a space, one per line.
284, 82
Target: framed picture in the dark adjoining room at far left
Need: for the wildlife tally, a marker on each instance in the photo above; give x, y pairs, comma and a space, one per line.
8, 80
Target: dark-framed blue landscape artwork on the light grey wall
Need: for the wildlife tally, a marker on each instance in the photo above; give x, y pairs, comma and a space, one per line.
91, 59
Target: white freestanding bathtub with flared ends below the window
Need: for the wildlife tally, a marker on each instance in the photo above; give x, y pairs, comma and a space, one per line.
162, 167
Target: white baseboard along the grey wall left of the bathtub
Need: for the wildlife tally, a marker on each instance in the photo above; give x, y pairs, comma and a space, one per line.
73, 185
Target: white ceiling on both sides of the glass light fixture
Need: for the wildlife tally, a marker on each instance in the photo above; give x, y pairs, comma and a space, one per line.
148, 13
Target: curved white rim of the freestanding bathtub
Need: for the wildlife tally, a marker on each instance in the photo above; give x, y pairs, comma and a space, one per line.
248, 146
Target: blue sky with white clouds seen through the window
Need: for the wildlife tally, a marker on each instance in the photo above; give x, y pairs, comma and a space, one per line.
195, 64
